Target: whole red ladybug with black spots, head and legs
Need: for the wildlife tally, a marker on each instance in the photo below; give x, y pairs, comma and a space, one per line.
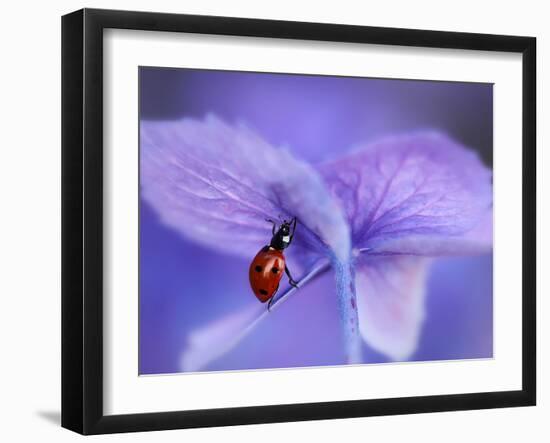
266, 270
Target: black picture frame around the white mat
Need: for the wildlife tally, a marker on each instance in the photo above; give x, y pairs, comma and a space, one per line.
82, 220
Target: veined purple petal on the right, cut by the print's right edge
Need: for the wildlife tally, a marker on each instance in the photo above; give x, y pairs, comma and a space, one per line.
416, 194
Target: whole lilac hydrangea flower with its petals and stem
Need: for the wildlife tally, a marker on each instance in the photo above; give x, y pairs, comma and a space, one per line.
376, 217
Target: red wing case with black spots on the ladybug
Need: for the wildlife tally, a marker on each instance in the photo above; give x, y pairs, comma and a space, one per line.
266, 271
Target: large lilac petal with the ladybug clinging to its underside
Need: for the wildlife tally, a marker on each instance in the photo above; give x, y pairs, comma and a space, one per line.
216, 184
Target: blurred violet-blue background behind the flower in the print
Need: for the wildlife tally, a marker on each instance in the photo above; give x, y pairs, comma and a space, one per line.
317, 118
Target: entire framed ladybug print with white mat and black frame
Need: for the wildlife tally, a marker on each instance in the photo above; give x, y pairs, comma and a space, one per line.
269, 221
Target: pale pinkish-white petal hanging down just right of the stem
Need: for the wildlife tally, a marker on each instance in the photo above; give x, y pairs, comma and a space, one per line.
390, 301
